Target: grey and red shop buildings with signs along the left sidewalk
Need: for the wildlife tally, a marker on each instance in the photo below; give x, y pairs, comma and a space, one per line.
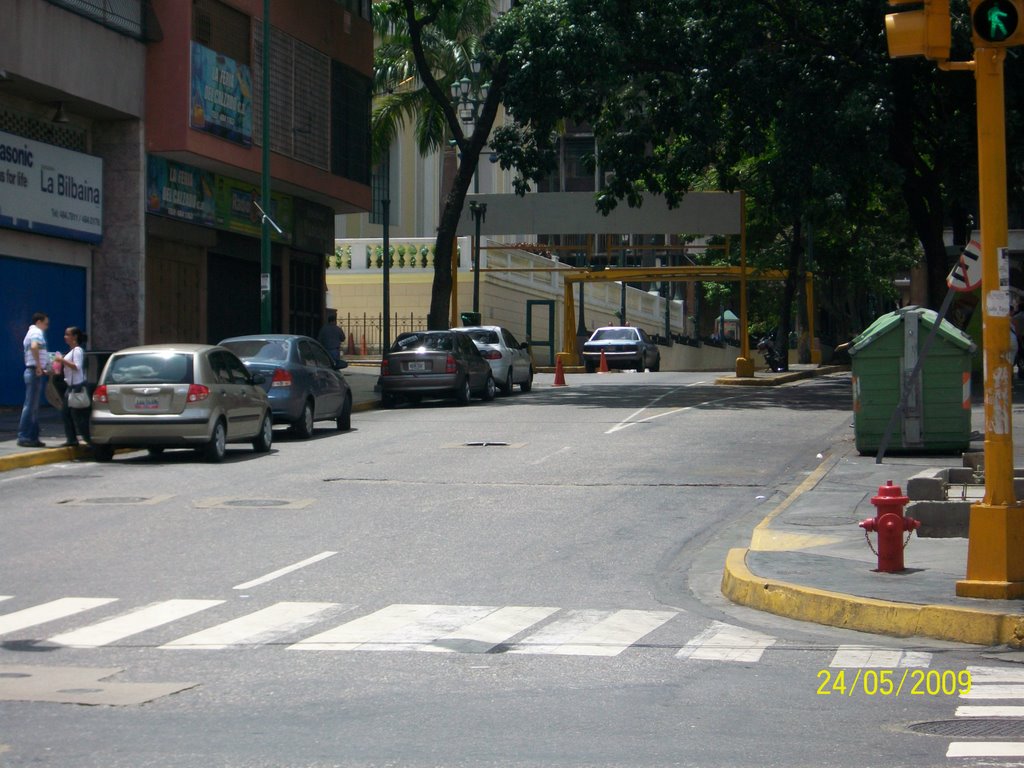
132, 163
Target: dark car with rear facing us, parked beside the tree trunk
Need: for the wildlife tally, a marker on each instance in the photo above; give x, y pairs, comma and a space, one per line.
437, 364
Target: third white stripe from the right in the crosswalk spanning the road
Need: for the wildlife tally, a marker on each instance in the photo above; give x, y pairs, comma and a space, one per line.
594, 633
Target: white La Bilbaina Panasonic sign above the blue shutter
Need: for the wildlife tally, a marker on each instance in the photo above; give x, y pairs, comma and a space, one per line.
49, 190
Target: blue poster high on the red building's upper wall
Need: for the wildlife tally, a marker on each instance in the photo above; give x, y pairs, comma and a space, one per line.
221, 97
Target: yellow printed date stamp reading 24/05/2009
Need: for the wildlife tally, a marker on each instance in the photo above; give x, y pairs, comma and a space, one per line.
908, 682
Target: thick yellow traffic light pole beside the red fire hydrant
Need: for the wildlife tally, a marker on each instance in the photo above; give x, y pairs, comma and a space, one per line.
996, 546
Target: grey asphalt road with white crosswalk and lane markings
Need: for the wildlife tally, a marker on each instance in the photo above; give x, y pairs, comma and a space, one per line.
532, 582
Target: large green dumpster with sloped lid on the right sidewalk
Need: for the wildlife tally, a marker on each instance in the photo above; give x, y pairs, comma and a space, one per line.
936, 412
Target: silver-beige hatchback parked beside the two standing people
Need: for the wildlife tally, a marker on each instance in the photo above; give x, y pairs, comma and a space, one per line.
179, 396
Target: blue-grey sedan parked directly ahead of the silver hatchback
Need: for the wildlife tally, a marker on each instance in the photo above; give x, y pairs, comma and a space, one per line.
304, 383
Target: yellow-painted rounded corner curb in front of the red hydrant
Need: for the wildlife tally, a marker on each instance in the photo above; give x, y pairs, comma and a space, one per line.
867, 615
